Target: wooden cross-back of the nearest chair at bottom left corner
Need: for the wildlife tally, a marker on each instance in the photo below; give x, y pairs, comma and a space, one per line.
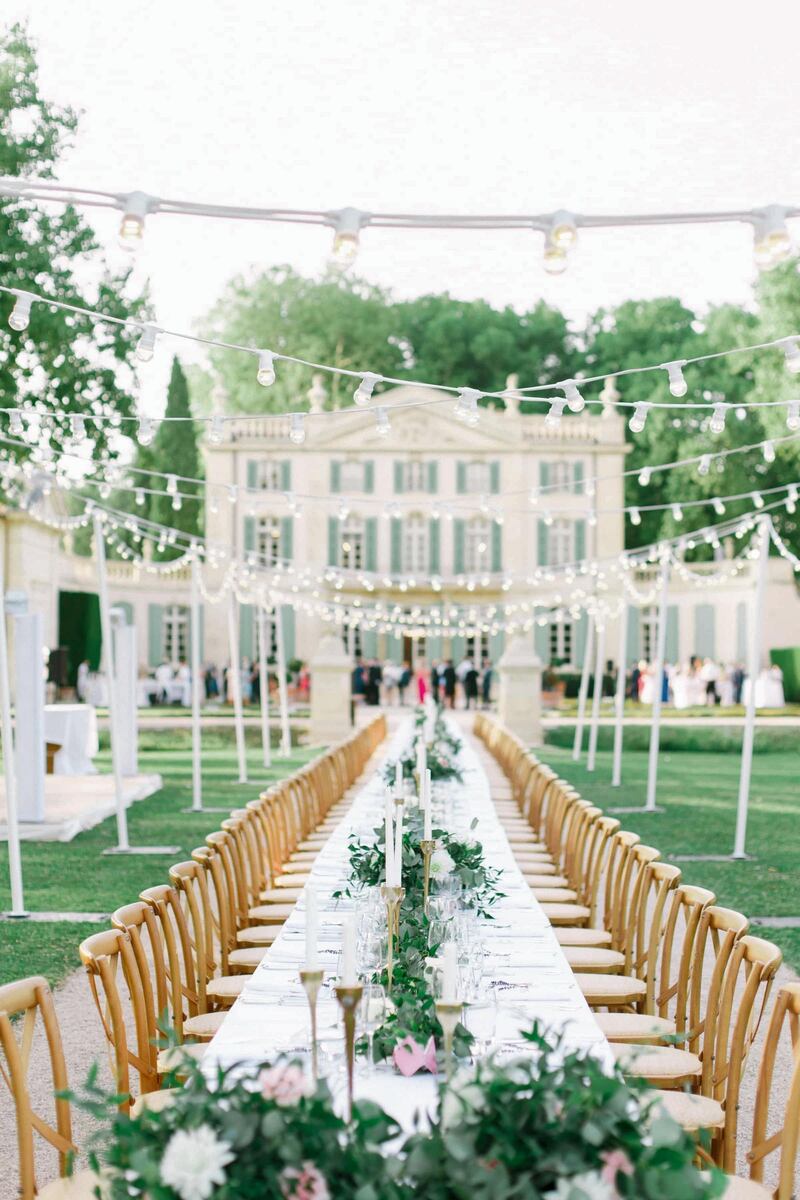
31, 1000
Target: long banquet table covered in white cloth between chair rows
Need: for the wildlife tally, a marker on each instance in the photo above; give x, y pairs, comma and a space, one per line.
525, 962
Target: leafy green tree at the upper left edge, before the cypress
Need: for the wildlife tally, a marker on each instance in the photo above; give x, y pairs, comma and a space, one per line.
61, 364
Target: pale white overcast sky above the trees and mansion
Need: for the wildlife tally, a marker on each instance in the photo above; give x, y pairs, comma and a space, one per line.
434, 106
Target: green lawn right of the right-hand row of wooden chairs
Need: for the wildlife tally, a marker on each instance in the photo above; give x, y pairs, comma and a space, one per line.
699, 789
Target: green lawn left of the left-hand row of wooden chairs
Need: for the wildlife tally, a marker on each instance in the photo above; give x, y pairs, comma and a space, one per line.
76, 878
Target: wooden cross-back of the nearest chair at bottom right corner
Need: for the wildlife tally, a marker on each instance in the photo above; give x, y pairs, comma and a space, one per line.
786, 1017
